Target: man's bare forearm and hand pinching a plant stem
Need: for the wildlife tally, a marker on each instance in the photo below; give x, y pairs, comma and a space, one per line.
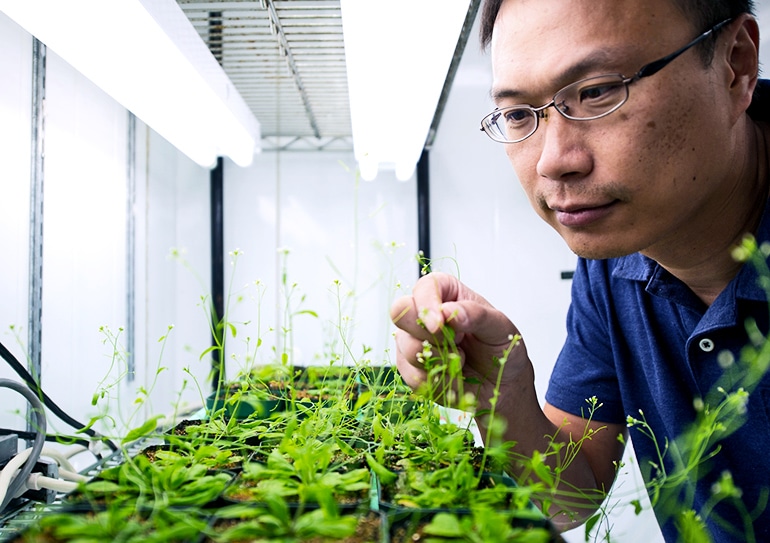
482, 334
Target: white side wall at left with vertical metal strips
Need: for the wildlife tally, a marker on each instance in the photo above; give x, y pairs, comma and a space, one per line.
85, 248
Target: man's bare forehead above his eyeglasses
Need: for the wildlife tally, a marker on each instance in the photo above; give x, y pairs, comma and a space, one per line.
542, 45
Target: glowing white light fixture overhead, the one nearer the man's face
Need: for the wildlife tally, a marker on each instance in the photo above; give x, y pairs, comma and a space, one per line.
398, 53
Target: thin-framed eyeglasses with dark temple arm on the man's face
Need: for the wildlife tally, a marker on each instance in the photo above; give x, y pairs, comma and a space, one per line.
584, 100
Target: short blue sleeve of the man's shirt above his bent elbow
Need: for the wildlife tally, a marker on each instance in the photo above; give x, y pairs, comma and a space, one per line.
585, 367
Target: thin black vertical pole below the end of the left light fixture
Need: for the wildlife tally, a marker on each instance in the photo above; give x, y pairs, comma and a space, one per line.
217, 273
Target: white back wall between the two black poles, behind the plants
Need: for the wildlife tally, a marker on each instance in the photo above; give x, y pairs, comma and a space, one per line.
309, 215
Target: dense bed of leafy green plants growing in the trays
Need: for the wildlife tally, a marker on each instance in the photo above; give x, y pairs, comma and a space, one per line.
309, 461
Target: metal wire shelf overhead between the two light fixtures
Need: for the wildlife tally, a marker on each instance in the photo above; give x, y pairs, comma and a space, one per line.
287, 60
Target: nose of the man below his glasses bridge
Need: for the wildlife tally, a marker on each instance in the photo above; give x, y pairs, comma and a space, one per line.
564, 153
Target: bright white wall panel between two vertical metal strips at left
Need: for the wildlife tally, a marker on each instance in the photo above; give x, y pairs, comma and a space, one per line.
84, 243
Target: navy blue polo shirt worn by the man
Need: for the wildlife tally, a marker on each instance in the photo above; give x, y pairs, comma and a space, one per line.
639, 339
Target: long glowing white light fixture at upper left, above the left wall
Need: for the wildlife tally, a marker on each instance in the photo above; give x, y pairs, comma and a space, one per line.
147, 56
